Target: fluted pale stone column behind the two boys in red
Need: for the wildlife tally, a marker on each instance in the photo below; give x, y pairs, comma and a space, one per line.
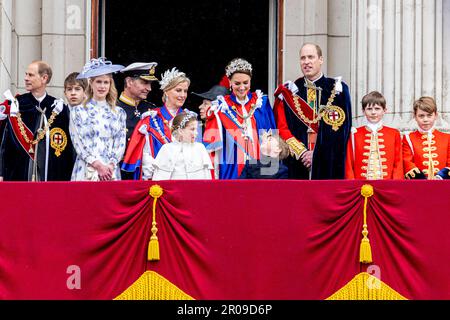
398, 49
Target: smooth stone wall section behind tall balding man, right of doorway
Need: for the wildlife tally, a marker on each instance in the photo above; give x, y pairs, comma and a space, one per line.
325, 22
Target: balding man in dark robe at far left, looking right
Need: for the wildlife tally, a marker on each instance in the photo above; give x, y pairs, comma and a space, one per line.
36, 144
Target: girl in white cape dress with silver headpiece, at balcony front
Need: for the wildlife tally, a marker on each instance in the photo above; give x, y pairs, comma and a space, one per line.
181, 159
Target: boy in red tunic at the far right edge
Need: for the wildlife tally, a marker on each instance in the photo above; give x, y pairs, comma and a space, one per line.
426, 151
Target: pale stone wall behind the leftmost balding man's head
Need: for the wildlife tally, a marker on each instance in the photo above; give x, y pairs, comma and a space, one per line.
50, 30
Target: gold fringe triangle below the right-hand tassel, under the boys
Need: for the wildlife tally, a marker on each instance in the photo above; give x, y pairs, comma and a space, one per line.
366, 287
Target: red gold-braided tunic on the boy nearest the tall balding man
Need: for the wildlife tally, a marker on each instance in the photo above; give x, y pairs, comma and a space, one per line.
374, 156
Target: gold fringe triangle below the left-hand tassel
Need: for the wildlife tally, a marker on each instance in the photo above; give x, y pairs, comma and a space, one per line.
152, 286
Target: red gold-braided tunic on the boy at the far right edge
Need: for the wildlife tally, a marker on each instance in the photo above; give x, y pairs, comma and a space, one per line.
418, 149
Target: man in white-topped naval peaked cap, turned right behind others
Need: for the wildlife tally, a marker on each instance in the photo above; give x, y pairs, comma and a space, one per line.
137, 85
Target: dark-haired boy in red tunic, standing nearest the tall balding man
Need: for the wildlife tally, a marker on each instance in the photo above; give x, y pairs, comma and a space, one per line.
374, 150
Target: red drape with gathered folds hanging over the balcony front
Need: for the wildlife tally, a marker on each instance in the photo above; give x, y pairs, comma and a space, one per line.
223, 239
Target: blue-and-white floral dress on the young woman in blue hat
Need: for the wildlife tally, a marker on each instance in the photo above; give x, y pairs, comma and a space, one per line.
98, 133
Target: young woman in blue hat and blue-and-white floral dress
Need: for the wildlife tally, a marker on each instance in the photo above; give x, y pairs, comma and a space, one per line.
98, 127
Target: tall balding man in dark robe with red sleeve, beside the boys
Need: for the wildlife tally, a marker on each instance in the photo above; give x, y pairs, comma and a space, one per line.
313, 115
